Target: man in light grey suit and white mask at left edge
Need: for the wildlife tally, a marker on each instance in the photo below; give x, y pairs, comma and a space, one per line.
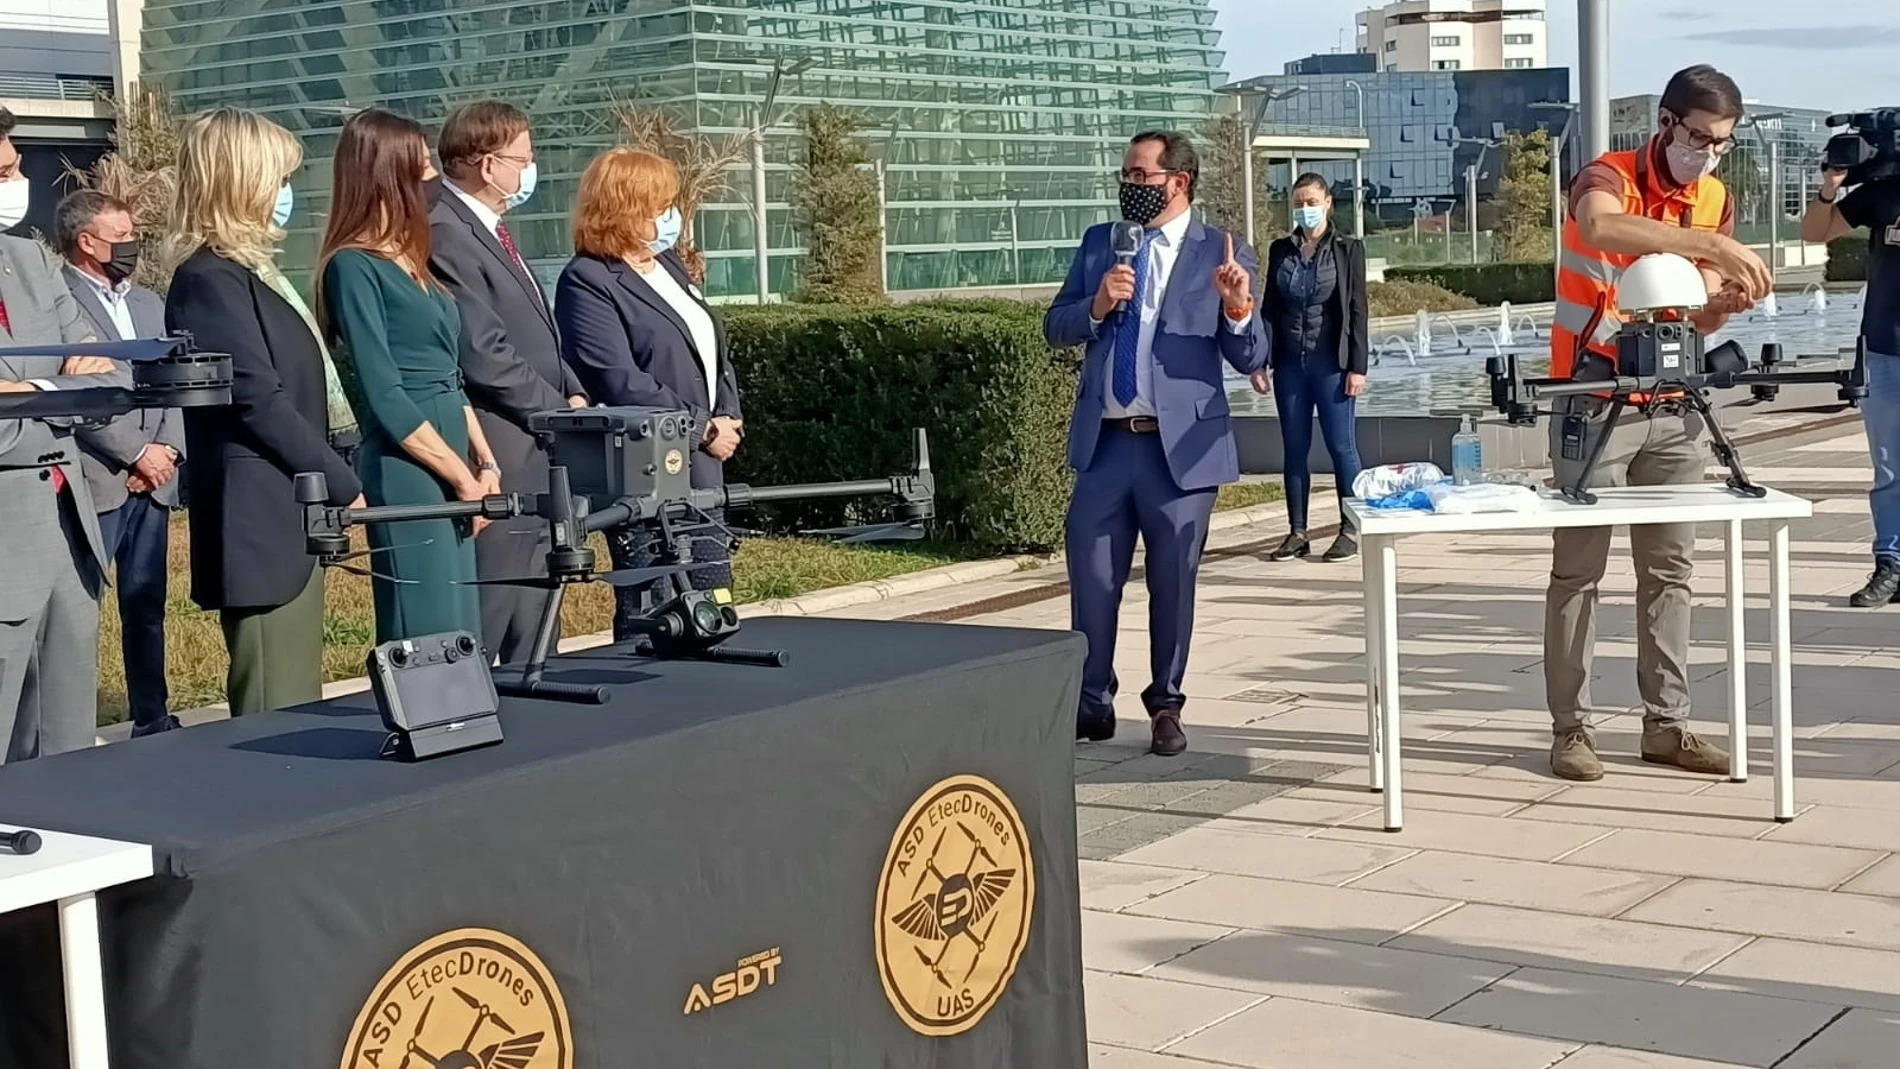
54, 555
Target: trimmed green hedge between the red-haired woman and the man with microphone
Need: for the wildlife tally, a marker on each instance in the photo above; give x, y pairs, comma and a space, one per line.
835, 392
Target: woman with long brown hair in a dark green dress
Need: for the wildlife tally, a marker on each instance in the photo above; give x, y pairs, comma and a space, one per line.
398, 333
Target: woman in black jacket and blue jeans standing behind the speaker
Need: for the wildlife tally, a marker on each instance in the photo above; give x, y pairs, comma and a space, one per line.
1318, 312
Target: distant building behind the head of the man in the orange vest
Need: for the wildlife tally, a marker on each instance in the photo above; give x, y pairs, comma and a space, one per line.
1789, 138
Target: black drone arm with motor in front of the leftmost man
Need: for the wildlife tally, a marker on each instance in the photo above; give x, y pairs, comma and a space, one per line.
166, 373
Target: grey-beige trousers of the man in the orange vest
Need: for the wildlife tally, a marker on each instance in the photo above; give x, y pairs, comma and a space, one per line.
1654, 449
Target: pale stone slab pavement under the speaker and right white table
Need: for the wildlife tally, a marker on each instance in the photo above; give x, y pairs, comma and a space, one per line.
1245, 910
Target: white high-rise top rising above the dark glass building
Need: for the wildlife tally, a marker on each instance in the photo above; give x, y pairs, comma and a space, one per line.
1456, 35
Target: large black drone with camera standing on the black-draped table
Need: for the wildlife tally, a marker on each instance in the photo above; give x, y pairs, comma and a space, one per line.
630, 468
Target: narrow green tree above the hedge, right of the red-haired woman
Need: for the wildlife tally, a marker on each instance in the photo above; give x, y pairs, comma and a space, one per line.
837, 212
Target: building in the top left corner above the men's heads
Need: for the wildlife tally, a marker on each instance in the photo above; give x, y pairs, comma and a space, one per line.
56, 77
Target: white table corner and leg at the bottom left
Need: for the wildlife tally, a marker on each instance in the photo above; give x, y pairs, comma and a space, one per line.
69, 871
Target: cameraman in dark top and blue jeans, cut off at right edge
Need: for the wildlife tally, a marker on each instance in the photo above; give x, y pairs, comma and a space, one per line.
1874, 206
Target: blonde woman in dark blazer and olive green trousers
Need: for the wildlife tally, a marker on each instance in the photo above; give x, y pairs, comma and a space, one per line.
288, 409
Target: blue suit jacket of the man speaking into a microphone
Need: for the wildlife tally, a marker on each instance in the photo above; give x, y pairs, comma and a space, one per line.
1192, 341
